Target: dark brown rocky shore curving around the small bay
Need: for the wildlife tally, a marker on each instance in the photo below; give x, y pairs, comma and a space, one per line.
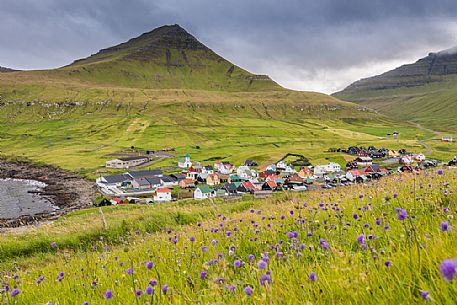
64, 189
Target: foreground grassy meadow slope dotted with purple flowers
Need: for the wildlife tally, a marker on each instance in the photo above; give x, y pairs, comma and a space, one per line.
391, 241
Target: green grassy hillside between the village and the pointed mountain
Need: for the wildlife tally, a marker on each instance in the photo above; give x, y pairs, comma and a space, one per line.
78, 136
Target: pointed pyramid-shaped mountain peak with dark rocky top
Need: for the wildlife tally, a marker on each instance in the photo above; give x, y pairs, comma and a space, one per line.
166, 58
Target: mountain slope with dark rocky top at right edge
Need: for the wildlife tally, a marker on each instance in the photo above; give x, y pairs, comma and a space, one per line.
424, 92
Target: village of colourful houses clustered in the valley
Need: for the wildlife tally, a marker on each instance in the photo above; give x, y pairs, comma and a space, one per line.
223, 179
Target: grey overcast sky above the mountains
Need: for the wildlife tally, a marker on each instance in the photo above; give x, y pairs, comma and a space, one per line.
318, 45
